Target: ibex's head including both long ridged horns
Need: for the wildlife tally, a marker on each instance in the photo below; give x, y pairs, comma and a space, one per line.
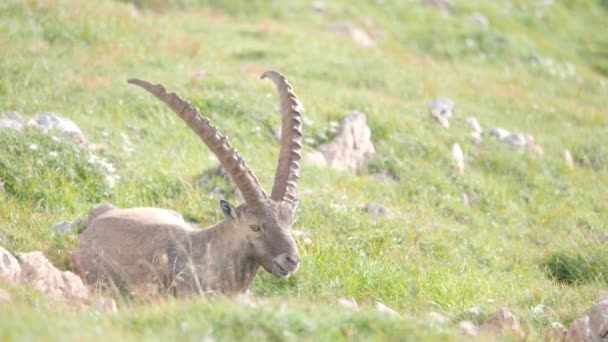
262, 225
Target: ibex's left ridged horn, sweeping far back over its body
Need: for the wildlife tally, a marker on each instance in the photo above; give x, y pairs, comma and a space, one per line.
243, 177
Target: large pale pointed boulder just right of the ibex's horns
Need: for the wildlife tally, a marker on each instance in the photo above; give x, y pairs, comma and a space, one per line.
351, 145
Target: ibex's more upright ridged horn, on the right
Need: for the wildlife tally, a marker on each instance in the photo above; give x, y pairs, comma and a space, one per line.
288, 166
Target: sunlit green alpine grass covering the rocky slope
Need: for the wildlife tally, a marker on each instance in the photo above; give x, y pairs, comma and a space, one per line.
532, 234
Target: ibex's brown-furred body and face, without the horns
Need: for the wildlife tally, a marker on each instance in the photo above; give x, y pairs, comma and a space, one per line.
133, 248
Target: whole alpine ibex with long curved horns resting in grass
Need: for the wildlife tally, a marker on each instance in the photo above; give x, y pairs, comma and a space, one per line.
135, 247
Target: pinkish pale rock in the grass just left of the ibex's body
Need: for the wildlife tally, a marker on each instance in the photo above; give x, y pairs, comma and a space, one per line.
42, 275
